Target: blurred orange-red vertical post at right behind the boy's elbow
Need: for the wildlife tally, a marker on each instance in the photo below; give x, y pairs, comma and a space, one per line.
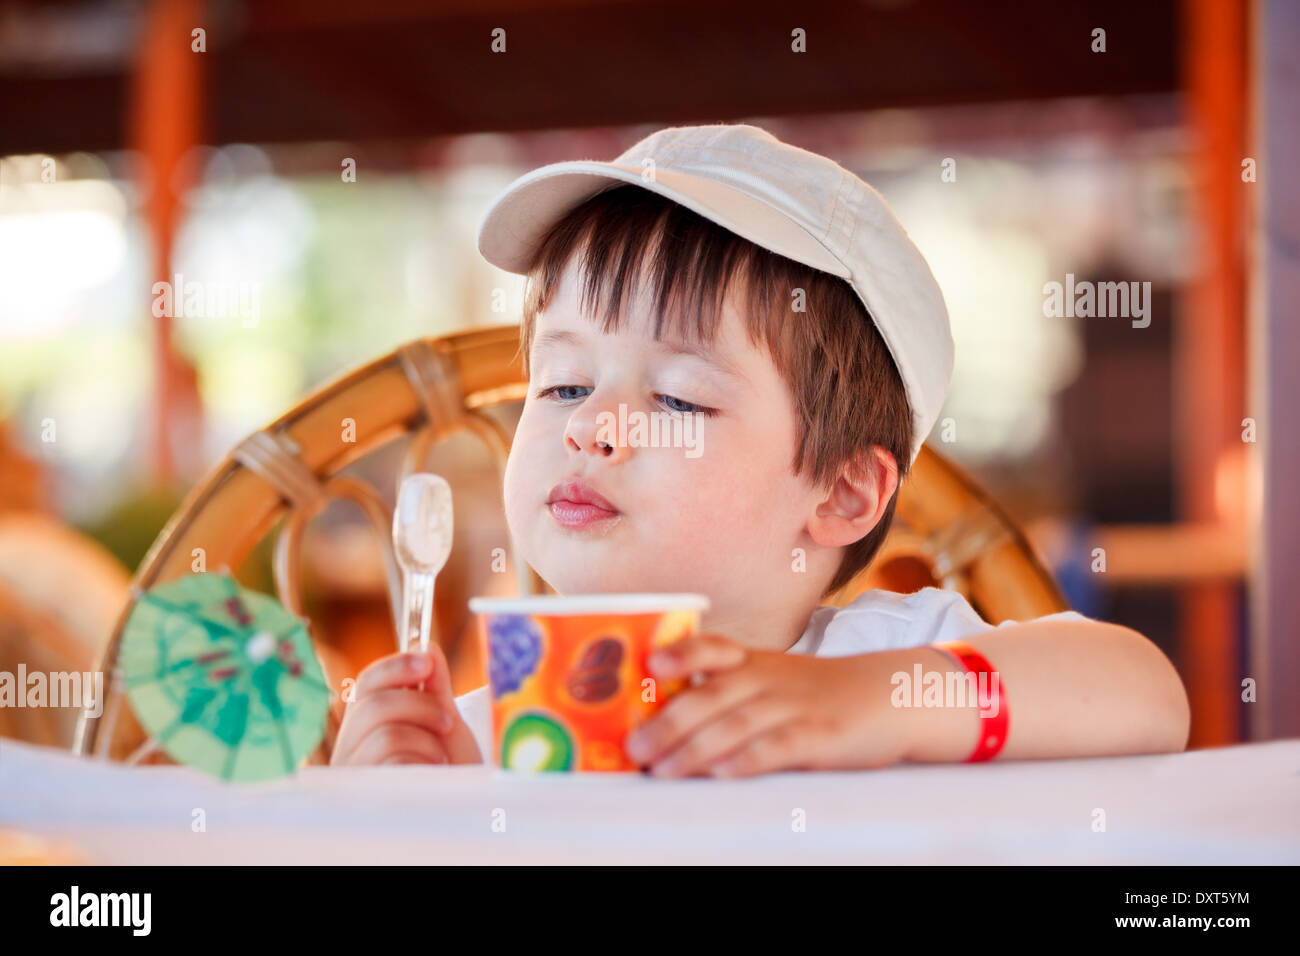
1211, 348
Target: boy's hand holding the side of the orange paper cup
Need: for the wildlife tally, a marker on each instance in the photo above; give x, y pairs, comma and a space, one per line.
759, 712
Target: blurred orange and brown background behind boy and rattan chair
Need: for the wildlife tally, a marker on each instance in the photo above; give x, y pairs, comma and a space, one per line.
326, 165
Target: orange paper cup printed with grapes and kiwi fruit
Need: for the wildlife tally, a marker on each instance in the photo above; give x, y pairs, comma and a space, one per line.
569, 674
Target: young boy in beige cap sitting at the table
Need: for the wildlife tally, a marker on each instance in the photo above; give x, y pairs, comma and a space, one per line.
768, 297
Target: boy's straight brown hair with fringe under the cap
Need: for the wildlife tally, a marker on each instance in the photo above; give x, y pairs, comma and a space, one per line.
848, 395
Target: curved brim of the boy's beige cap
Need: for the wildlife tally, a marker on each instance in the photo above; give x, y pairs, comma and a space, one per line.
519, 220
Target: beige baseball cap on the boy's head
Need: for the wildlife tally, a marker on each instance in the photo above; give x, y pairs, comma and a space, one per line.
790, 201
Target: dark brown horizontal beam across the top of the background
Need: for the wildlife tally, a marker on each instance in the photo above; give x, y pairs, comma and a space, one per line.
401, 70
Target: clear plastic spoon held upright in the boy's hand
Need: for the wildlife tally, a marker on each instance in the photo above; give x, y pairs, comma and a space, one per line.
422, 540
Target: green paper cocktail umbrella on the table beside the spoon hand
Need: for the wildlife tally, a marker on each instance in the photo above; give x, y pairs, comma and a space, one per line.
223, 678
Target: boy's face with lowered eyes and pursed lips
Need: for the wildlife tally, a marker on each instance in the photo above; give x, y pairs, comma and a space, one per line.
720, 518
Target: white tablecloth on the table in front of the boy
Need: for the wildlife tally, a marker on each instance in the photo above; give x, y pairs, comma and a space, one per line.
1230, 806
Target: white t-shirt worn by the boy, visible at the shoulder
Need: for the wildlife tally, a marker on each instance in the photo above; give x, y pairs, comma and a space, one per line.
874, 621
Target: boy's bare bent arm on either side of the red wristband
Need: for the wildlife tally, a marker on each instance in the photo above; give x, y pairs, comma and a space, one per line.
1073, 690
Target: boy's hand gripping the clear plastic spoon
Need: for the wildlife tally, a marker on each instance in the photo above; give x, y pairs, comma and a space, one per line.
391, 721
